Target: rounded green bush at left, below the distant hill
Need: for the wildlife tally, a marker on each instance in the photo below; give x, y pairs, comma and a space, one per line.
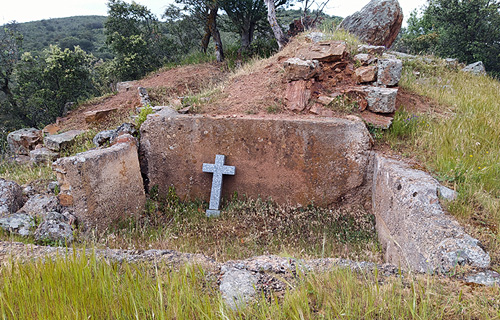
46, 83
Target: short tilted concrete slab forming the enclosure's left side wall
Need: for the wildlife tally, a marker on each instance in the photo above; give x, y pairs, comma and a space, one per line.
102, 185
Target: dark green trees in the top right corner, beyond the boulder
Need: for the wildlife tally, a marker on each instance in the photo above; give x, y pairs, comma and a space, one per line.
464, 29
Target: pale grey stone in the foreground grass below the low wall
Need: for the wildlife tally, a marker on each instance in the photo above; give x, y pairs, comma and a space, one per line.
237, 286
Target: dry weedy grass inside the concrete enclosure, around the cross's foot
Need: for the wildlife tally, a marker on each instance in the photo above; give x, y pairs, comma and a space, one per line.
248, 228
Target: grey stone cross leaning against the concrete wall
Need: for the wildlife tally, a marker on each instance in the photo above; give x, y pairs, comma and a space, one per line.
218, 169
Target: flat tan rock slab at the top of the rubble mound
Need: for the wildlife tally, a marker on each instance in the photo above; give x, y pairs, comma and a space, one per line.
326, 51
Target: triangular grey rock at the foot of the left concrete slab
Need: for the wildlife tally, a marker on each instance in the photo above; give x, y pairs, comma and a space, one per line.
54, 229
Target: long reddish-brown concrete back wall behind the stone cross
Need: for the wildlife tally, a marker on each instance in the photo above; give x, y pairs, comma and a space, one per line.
291, 160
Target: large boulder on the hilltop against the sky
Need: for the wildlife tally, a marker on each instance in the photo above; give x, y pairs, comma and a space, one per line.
378, 23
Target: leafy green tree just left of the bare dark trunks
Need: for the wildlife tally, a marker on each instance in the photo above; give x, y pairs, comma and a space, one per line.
133, 33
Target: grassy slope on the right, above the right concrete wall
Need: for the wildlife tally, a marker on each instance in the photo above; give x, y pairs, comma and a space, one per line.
460, 145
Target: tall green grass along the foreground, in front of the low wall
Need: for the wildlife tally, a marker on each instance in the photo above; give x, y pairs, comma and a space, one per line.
77, 287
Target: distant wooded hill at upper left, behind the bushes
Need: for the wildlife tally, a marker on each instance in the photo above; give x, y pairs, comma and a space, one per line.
85, 31
